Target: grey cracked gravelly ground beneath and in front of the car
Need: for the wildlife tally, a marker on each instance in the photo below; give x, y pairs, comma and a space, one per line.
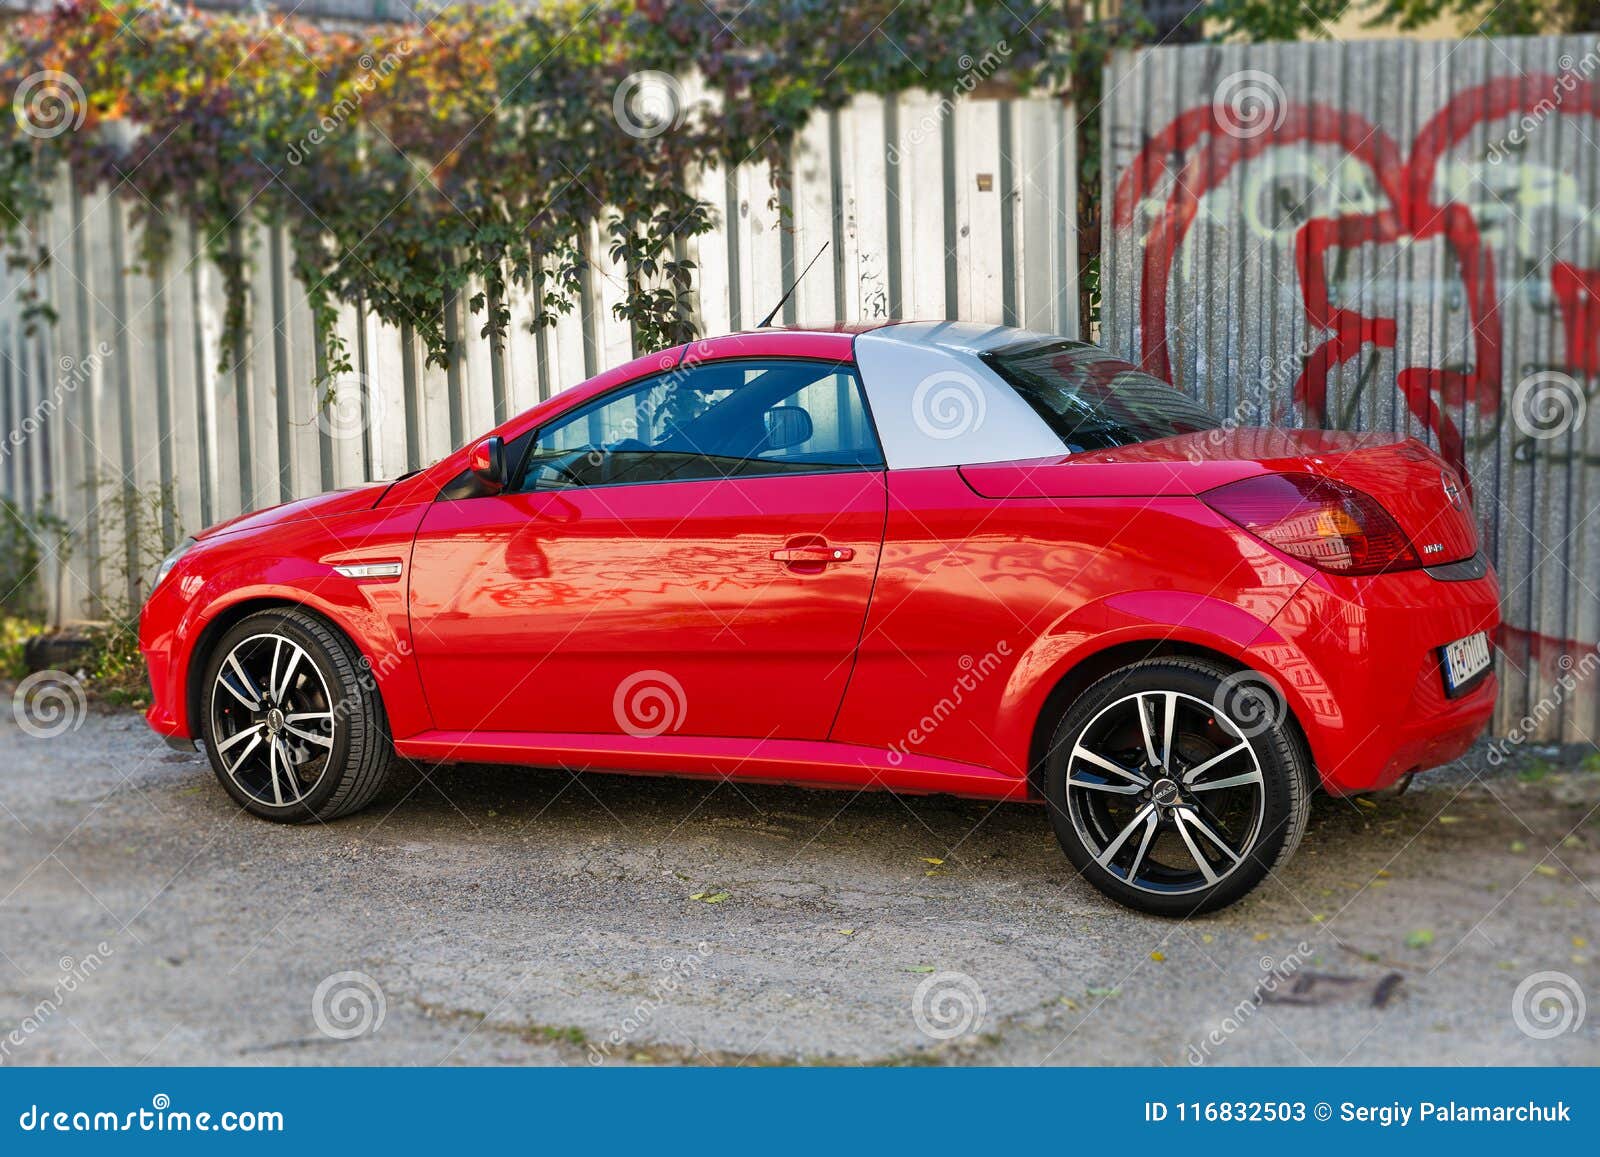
503, 918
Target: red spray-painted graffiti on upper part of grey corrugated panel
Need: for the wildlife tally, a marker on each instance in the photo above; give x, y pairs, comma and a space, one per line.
1412, 214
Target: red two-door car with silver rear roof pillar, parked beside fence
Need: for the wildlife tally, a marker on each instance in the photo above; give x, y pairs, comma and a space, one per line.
929, 558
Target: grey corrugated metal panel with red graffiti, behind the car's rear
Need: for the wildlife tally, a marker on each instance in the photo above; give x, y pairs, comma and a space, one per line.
1390, 236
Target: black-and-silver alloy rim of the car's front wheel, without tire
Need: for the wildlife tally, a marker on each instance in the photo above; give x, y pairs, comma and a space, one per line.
273, 719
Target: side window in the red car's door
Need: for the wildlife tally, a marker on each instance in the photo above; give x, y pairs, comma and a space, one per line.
710, 422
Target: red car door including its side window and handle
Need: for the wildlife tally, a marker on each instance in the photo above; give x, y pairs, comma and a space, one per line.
687, 554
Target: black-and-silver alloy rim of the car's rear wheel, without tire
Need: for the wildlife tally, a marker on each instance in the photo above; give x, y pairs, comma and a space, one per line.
1166, 791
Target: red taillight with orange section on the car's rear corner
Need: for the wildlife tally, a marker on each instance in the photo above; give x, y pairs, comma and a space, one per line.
1319, 521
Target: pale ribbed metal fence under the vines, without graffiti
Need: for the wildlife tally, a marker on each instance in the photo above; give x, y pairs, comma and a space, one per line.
932, 209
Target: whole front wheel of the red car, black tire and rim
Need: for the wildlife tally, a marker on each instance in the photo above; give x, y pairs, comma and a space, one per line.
348, 756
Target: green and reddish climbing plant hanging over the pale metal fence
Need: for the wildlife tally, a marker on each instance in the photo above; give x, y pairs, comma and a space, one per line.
417, 164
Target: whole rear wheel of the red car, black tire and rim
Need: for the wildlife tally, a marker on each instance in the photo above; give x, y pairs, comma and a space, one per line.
1255, 798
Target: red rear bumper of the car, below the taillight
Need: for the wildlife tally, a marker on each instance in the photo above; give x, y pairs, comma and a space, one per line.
1361, 667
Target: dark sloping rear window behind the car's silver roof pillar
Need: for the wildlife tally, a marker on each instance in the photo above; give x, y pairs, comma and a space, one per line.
1094, 401
